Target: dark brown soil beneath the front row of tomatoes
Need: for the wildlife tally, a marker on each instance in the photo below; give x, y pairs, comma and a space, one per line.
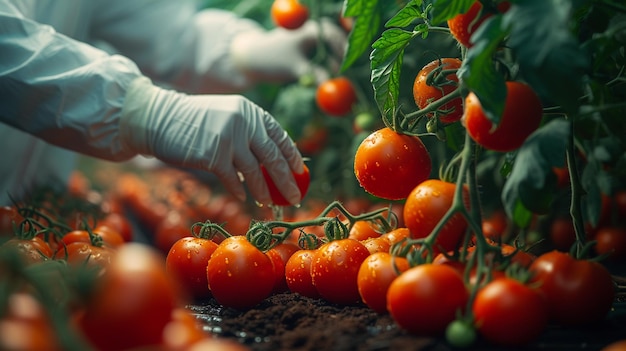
293, 322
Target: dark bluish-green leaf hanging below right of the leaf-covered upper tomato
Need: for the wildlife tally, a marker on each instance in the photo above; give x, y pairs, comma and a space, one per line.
532, 182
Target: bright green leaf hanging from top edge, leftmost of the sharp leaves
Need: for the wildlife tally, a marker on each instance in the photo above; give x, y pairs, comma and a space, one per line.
367, 19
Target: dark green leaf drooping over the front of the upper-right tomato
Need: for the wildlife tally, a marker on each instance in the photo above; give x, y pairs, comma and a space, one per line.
478, 73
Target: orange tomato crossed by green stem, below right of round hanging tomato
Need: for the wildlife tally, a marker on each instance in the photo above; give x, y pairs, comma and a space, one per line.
425, 207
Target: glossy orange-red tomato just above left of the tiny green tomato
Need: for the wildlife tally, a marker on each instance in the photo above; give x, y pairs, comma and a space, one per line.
426, 298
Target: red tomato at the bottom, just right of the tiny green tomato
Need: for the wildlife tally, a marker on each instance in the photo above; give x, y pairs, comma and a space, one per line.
509, 313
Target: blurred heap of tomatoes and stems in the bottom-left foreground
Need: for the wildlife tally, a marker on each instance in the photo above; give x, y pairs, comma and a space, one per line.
74, 279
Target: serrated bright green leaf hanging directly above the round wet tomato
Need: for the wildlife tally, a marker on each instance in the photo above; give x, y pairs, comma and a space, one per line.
386, 64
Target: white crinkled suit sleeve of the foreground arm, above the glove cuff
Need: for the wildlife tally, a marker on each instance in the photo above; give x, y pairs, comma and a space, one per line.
64, 92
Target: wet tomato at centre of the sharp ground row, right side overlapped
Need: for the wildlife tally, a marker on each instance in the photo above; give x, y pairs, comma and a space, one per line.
334, 269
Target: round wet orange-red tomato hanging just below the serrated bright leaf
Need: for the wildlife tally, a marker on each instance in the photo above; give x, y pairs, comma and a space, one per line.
389, 164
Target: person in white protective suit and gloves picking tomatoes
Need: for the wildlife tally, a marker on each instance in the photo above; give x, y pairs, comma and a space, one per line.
60, 95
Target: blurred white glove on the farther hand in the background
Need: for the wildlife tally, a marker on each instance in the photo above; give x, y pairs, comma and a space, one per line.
282, 54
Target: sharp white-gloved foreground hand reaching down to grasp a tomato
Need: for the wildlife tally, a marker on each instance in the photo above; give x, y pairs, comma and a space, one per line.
224, 134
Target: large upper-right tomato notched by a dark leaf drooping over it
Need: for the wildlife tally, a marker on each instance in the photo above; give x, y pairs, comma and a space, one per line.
522, 116
